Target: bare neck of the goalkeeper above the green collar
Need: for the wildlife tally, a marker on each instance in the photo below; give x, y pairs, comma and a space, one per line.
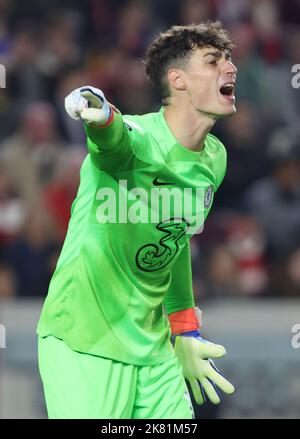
188, 126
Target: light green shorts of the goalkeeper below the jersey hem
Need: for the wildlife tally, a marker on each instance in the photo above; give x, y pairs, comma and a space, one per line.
109, 390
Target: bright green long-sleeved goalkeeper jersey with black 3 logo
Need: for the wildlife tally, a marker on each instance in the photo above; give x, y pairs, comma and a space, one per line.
126, 255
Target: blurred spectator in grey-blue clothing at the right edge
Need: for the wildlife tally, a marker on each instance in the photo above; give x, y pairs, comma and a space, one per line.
275, 200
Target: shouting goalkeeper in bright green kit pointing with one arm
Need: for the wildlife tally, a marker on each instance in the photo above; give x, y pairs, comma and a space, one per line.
122, 286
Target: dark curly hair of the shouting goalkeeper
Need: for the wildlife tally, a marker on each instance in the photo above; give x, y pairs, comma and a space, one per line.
174, 47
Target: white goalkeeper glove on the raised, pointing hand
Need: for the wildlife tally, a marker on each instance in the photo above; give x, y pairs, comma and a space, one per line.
89, 104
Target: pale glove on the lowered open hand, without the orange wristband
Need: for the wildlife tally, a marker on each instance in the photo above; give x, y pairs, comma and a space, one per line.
194, 354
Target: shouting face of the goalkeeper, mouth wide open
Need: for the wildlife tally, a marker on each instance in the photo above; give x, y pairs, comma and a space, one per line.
210, 77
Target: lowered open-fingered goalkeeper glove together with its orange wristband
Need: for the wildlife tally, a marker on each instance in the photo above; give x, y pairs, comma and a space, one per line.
195, 356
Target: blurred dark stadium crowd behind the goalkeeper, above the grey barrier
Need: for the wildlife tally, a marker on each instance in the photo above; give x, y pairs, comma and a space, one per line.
251, 241
